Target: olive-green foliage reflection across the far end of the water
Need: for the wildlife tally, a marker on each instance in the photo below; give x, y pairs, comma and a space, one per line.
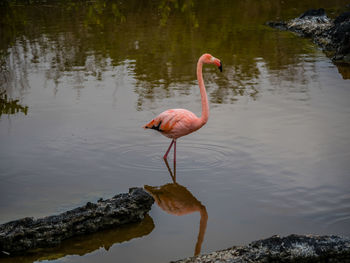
160, 40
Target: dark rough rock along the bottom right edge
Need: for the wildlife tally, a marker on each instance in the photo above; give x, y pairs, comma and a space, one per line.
293, 248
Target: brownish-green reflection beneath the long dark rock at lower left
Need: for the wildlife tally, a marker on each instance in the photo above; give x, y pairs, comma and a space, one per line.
84, 244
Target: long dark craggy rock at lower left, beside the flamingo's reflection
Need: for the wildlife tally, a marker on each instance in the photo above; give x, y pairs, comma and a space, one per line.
29, 233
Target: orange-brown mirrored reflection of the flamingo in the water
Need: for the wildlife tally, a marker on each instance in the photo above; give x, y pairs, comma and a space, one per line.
175, 199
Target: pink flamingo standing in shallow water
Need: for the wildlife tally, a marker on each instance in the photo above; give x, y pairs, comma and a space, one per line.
175, 123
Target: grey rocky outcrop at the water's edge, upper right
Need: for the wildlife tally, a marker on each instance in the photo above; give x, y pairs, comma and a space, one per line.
332, 35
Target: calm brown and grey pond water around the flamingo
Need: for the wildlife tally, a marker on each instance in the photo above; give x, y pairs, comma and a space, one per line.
79, 79
